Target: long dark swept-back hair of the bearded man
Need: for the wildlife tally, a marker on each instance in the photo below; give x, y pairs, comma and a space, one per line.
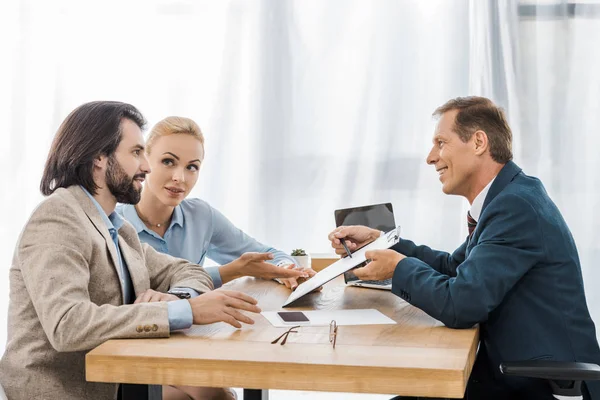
91, 130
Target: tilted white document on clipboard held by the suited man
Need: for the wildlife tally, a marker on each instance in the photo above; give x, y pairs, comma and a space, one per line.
385, 241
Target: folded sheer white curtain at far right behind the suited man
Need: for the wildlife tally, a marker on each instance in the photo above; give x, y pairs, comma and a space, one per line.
540, 60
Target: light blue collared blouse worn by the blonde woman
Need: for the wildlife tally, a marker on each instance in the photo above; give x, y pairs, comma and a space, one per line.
199, 231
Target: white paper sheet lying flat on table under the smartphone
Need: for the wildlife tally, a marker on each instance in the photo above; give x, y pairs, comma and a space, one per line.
341, 317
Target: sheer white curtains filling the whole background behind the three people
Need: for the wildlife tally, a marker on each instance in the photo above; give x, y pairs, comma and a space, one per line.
307, 106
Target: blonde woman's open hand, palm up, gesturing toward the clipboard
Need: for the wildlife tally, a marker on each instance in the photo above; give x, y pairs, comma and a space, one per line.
253, 264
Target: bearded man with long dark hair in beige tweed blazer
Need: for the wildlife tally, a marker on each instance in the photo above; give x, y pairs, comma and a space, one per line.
80, 275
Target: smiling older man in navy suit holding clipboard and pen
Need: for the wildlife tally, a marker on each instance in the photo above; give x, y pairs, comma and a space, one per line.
517, 274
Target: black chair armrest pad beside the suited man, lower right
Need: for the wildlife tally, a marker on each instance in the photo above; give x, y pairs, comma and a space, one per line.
554, 370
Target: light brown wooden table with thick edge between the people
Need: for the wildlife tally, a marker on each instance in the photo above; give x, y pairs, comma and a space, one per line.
418, 356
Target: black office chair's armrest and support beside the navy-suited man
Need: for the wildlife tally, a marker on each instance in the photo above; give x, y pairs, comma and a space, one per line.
564, 377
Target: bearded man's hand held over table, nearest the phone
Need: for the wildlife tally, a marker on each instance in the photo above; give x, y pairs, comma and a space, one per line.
223, 306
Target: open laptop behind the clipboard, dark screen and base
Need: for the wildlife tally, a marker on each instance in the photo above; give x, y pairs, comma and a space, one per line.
376, 216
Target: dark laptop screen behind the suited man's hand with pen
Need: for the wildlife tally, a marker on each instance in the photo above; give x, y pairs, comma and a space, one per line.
376, 216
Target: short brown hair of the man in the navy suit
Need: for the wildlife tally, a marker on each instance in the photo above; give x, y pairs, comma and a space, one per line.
479, 113
